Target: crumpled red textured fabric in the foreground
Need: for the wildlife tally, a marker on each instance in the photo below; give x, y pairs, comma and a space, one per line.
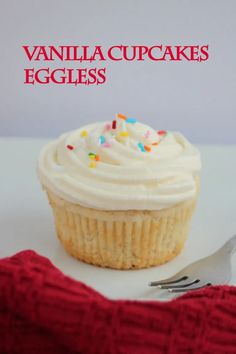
44, 311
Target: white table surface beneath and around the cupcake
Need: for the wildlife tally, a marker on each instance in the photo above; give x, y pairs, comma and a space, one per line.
26, 220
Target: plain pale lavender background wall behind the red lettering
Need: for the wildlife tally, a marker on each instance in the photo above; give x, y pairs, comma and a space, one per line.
197, 99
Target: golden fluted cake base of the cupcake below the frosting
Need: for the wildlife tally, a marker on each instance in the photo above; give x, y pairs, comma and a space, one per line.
121, 239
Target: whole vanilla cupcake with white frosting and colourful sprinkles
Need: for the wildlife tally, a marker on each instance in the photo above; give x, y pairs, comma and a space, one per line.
122, 193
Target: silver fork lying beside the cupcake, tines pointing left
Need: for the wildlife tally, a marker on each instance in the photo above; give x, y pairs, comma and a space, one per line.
212, 270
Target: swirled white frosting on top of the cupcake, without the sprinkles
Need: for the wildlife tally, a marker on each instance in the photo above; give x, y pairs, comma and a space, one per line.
125, 178
